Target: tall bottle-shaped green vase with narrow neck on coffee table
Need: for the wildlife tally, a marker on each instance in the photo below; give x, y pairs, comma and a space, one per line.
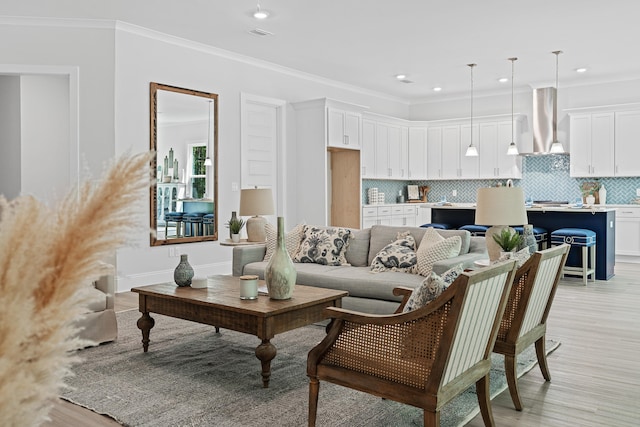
280, 273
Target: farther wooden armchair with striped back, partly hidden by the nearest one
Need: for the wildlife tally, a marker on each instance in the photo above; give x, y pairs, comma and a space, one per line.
525, 319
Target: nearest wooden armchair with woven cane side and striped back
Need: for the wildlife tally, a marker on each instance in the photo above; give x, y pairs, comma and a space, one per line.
424, 357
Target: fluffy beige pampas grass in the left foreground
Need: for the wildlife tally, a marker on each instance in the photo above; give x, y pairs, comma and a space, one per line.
48, 257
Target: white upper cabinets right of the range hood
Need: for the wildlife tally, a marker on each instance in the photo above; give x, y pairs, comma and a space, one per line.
603, 143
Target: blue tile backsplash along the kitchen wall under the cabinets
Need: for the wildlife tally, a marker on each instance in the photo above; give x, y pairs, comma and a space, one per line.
543, 178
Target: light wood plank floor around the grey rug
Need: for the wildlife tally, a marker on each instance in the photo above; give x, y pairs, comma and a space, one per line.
595, 372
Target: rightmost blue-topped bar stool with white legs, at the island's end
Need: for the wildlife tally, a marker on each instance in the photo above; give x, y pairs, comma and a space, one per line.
585, 239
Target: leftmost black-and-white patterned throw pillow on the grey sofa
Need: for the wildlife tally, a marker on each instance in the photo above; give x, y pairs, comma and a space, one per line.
325, 246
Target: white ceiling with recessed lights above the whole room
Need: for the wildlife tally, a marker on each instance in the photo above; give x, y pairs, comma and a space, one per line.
365, 43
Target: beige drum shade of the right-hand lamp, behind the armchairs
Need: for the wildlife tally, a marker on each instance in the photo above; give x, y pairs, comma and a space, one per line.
501, 206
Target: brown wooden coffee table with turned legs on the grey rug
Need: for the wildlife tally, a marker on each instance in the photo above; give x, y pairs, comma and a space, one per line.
220, 305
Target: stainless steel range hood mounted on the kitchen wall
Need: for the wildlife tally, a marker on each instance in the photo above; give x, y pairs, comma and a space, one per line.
544, 123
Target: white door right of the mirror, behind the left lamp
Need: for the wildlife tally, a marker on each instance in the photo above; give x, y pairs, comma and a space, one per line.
262, 162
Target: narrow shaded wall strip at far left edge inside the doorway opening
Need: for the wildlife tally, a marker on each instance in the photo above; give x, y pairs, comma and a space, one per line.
10, 183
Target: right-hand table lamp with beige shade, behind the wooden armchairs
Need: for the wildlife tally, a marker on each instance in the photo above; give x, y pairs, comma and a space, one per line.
499, 207
